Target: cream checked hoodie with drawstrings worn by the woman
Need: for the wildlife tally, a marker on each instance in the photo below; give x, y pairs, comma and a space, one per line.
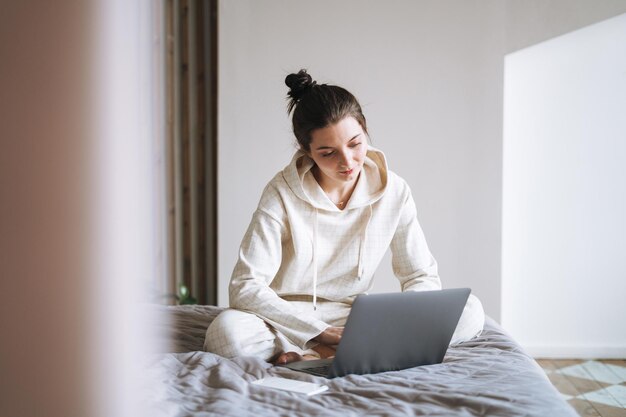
300, 243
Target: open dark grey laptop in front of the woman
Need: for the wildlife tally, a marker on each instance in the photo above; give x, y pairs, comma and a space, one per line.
390, 332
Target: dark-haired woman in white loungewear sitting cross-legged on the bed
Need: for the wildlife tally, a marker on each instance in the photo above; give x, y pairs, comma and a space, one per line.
320, 230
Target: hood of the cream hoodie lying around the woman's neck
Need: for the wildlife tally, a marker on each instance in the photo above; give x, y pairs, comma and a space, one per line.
370, 187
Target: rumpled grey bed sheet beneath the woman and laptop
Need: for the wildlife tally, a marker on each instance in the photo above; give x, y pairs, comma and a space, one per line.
487, 376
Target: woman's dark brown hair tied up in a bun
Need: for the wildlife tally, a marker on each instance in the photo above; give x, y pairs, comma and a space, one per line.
316, 106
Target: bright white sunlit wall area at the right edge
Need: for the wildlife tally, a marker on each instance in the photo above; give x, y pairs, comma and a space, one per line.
564, 198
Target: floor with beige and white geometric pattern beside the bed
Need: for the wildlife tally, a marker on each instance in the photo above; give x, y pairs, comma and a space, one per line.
592, 387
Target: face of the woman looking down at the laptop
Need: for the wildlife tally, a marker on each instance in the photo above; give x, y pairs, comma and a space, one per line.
339, 152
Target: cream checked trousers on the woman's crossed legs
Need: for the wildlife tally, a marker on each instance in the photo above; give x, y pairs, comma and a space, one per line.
239, 333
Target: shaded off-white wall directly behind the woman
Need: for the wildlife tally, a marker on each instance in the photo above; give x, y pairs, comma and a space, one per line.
429, 75
